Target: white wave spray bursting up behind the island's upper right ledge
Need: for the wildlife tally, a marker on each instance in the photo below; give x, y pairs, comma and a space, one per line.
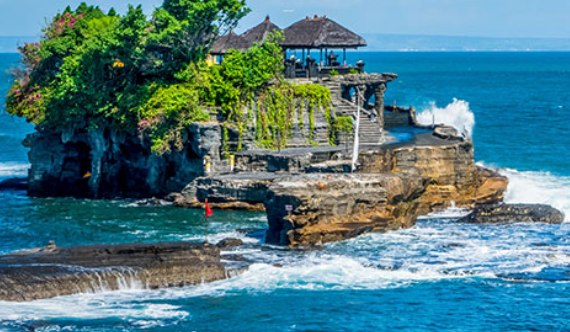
457, 114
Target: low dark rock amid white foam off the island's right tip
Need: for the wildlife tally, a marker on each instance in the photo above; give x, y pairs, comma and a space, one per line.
511, 213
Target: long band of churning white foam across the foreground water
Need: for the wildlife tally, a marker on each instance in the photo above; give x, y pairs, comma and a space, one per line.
432, 251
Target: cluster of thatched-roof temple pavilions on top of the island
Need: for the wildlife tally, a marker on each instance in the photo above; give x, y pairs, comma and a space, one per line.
319, 35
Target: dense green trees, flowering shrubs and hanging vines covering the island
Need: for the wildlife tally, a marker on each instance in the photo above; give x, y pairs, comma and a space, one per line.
148, 75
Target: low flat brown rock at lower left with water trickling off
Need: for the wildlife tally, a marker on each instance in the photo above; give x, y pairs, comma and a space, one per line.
51, 271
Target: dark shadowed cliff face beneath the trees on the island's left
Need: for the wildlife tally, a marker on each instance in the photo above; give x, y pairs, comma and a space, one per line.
105, 163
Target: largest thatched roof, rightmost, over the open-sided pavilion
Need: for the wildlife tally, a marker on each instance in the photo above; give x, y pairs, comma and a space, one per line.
320, 32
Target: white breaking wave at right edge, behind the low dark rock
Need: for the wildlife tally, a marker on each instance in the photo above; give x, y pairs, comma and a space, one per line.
538, 188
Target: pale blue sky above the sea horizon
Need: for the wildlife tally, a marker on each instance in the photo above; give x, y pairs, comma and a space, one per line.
485, 18
